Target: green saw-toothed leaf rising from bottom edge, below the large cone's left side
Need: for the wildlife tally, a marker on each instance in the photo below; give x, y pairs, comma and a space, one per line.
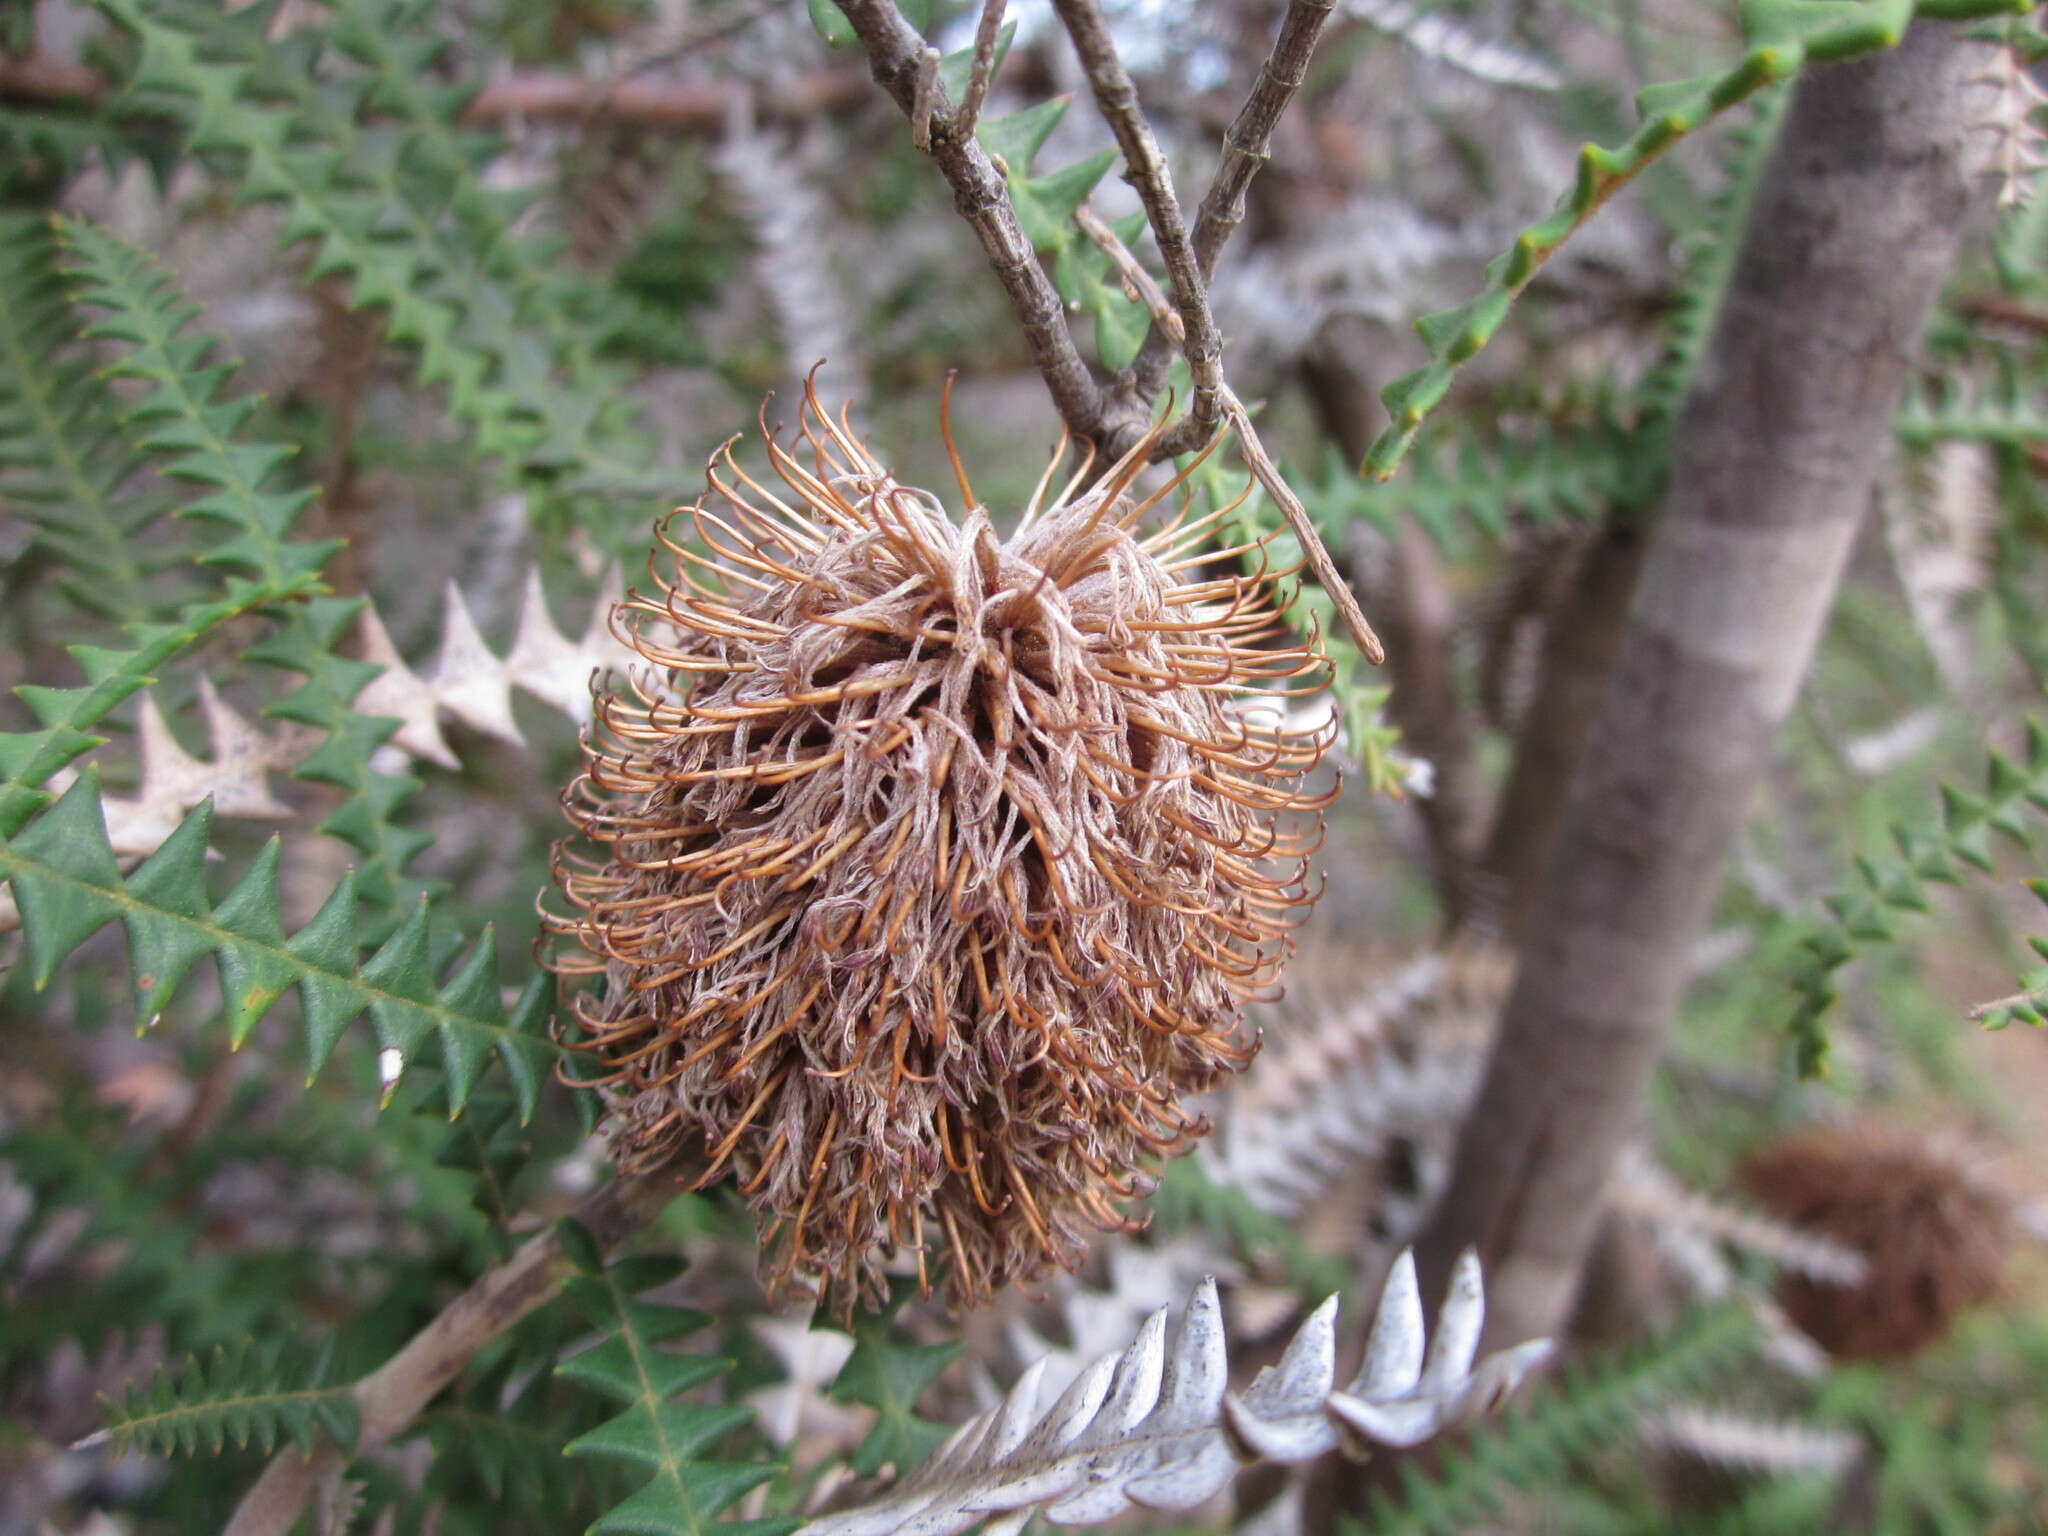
654, 1433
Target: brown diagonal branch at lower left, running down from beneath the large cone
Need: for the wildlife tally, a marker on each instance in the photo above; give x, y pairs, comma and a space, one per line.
392, 1398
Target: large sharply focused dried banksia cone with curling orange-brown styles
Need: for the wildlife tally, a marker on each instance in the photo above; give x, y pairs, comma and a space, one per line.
935, 865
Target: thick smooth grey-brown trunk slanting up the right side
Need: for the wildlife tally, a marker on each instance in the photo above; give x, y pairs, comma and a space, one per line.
1775, 456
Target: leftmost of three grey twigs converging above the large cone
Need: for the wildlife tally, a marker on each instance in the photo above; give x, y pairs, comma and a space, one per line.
982, 198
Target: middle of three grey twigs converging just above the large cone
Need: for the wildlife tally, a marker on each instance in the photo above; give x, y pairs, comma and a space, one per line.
1117, 99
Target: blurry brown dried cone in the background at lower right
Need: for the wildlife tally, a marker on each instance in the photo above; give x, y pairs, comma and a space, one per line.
1934, 1234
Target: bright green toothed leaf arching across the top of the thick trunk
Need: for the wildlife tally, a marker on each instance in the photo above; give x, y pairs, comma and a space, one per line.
1783, 38
